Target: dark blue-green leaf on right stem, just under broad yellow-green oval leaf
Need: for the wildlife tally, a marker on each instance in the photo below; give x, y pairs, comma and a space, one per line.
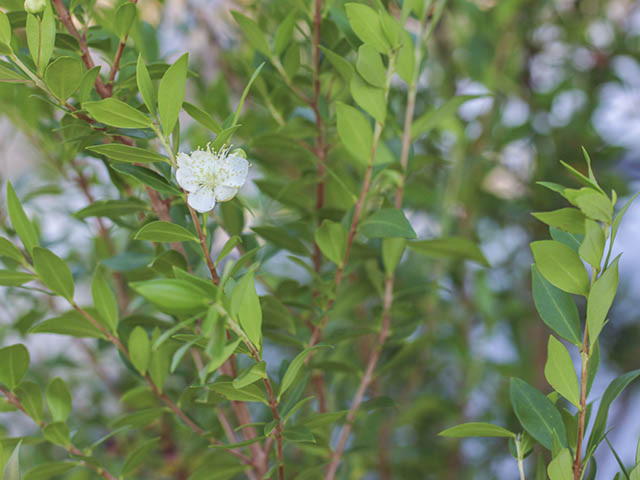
556, 308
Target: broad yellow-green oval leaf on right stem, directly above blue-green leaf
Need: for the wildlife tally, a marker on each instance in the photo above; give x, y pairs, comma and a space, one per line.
561, 266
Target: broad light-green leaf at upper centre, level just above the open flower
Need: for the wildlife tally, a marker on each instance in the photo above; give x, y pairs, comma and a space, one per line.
355, 132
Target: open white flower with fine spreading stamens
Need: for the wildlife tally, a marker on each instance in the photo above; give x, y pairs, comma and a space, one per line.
211, 176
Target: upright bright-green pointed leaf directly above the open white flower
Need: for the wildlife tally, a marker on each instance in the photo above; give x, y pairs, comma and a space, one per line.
171, 93
